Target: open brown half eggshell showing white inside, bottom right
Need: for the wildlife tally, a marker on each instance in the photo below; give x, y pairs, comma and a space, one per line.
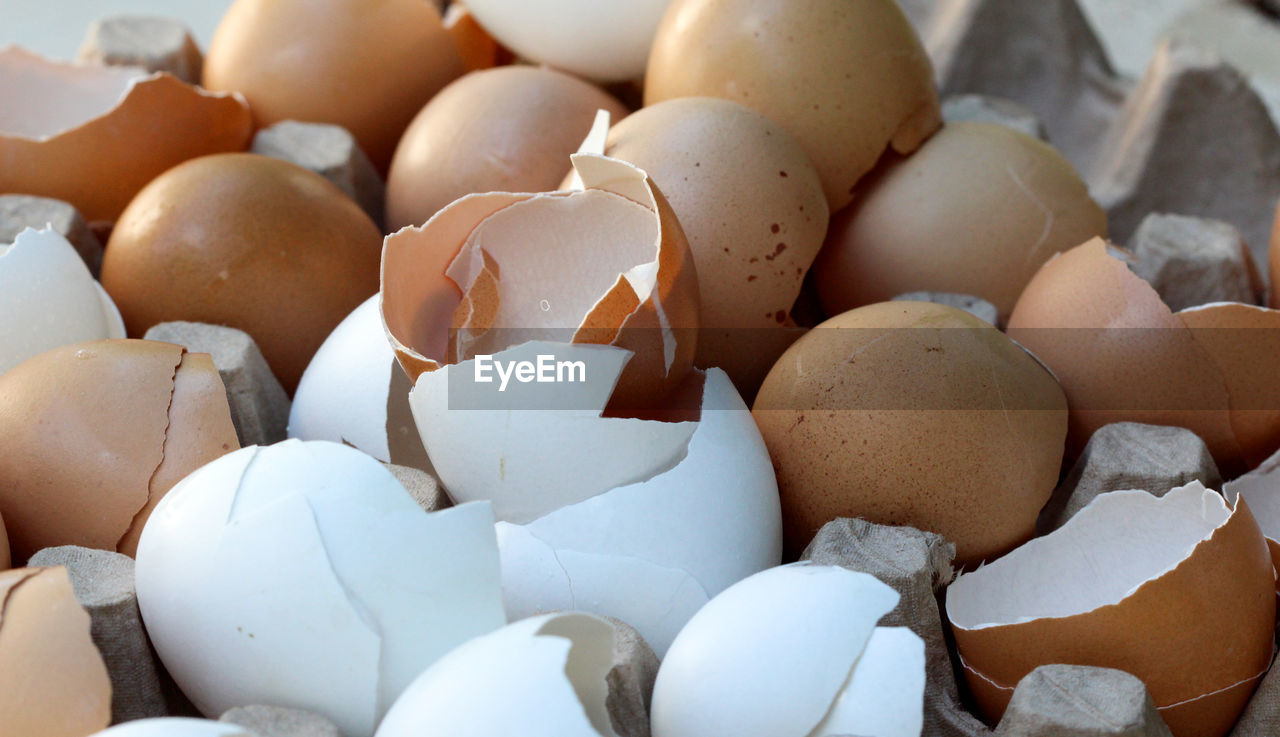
1178, 590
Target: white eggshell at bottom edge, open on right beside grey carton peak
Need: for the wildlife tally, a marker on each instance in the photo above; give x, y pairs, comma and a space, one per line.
540, 678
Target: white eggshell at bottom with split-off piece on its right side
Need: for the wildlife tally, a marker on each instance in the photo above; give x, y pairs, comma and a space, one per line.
793, 651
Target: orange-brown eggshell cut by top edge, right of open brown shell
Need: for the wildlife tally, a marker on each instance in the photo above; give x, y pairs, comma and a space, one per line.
368, 67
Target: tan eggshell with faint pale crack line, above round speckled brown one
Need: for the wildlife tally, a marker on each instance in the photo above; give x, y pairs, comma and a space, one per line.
888, 244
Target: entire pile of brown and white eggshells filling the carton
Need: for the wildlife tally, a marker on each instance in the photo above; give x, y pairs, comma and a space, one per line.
636, 318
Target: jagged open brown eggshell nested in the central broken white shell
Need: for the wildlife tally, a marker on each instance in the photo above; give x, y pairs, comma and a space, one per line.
429, 273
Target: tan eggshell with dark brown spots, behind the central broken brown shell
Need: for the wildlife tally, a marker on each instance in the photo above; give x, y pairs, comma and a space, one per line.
755, 213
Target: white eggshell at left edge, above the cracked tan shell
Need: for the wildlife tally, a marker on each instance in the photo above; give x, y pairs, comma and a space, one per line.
49, 299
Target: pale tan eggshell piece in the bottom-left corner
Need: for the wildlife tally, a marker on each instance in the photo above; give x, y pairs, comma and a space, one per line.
53, 683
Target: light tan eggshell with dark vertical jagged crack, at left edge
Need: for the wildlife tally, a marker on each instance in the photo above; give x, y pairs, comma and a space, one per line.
93, 436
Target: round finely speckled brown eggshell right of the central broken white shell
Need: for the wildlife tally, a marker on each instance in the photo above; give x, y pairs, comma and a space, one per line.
913, 414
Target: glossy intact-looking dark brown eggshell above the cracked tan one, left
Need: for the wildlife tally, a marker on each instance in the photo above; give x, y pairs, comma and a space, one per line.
245, 241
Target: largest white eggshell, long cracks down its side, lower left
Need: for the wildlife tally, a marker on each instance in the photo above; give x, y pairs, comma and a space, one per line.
362, 593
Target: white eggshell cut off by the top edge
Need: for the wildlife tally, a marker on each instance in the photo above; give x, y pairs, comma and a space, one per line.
602, 42
